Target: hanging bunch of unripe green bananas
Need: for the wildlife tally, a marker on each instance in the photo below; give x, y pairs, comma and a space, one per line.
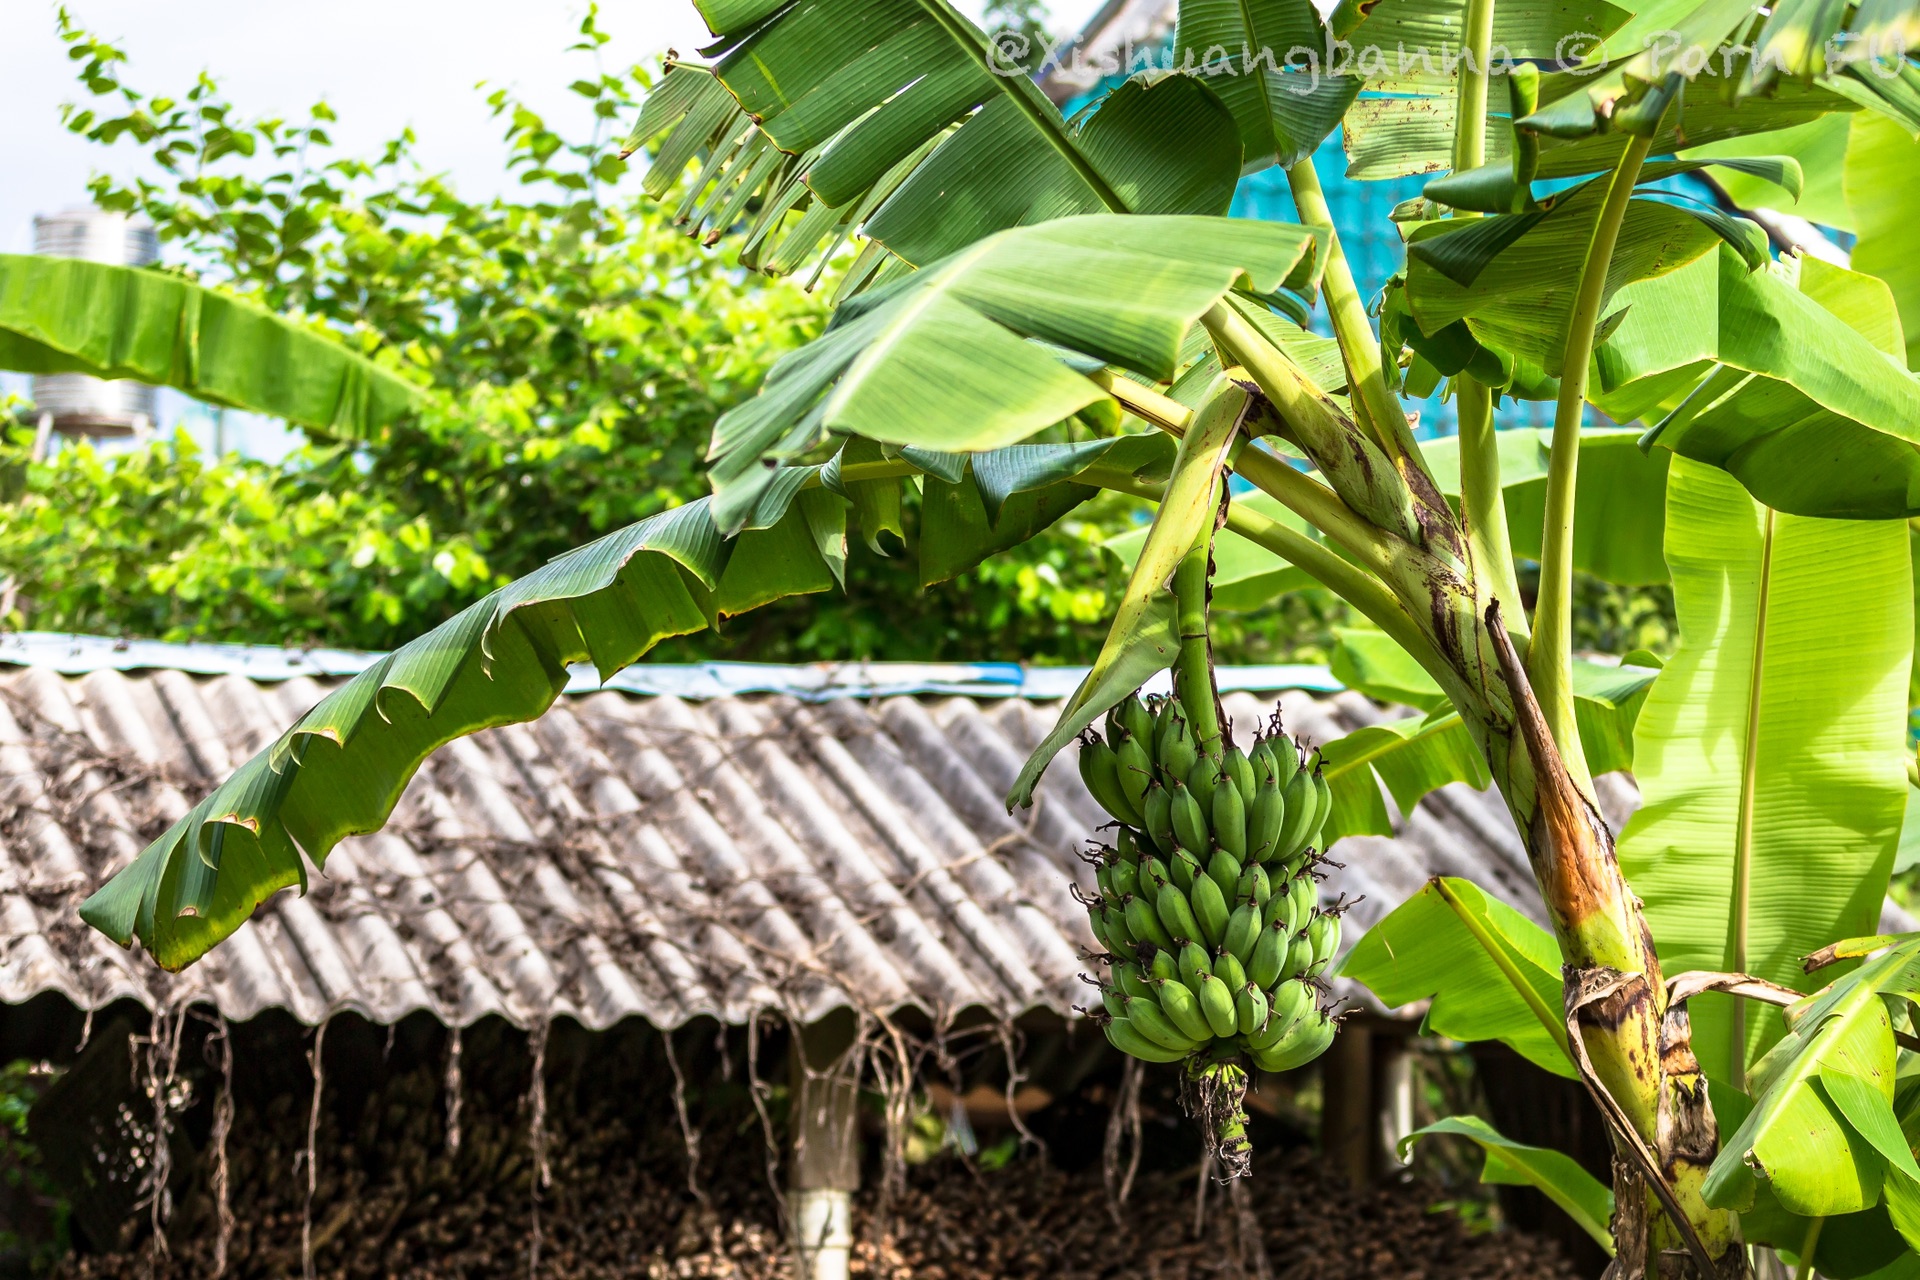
1209, 903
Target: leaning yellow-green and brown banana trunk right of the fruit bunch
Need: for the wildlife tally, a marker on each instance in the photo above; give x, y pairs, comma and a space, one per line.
1383, 508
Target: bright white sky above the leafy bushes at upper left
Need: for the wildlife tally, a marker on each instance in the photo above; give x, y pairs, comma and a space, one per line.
383, 64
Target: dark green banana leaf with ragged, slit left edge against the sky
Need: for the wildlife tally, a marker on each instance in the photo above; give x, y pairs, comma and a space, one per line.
900, 120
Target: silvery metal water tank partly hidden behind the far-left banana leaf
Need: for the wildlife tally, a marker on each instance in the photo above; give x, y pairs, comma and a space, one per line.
76, 404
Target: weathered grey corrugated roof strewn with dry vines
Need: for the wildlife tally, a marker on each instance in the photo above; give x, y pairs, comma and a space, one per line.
650, 857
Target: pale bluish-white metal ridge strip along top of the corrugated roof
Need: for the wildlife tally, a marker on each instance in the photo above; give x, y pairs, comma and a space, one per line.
78, 655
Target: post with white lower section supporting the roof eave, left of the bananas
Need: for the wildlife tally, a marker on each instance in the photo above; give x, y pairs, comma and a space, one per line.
827, 1147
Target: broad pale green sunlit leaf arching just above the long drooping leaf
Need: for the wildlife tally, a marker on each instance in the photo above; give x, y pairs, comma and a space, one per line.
986, 348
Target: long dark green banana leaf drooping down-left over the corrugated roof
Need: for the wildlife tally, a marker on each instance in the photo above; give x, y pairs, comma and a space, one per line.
345, 765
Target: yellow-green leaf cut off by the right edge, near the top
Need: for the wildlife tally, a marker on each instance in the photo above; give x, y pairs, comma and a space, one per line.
1881, 168
